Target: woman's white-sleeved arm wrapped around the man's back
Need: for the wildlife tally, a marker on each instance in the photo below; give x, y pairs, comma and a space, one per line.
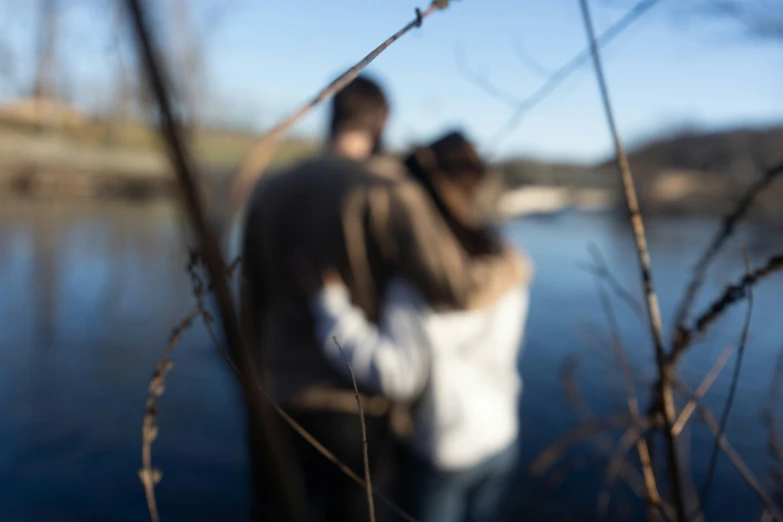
391, 359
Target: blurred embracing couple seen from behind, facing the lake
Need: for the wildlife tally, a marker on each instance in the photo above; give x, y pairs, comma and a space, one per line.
390, 266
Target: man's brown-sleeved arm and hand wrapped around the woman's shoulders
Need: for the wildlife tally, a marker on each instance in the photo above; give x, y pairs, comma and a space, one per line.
415, 239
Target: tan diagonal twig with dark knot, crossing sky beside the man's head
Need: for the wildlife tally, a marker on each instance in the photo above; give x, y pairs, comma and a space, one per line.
262, 152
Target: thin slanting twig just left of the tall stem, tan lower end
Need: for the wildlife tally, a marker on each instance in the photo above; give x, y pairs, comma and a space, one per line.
653, 497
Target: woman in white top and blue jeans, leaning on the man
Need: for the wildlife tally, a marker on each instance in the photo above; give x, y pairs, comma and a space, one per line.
460, 367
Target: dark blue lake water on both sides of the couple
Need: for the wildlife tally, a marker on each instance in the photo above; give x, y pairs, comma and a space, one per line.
89, 293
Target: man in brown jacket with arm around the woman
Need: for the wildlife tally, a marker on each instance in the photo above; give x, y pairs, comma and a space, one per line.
333, 210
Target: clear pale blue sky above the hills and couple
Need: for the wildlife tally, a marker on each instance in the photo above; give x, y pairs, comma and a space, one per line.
670, 69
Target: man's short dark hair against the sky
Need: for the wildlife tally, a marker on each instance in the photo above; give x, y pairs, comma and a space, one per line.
361, 105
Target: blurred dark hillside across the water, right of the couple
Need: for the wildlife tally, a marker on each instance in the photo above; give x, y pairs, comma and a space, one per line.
702, 172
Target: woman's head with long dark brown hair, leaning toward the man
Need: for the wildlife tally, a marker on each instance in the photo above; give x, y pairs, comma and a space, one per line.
451, 171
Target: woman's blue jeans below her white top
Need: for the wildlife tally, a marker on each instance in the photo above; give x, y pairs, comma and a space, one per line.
476, 494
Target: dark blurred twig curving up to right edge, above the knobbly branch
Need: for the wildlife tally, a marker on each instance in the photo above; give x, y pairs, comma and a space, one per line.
724, 233
